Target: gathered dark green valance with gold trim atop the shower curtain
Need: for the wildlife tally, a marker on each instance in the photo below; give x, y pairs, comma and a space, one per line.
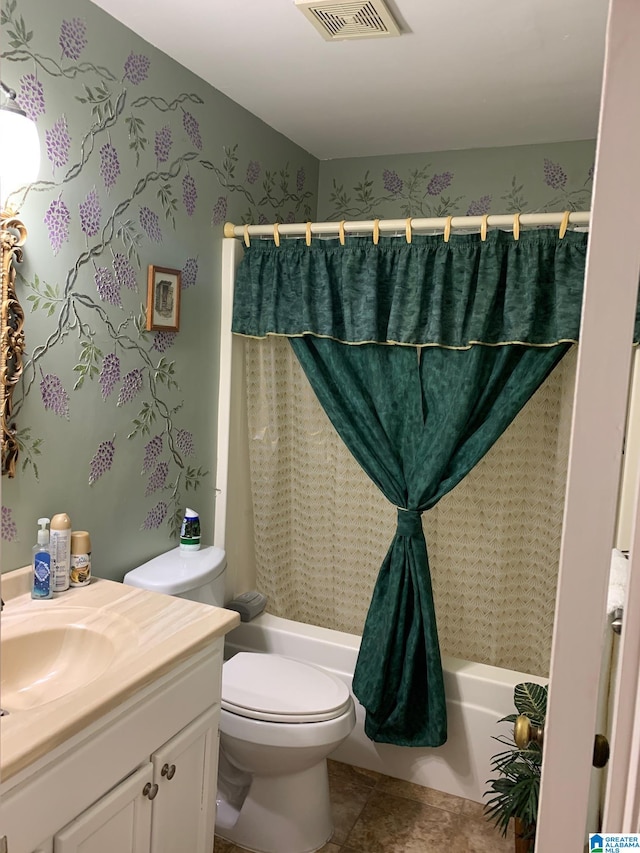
428, 292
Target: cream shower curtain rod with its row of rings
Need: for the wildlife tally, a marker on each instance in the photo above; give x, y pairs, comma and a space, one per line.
405, 227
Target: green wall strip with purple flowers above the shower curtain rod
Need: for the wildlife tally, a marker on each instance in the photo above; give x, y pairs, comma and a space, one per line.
556, 176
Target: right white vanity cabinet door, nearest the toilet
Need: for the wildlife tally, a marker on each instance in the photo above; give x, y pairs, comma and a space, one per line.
185, 770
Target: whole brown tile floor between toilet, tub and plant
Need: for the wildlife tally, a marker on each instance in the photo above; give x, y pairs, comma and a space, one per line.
373, 813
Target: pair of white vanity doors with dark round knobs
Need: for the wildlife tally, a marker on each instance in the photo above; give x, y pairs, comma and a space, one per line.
165, 806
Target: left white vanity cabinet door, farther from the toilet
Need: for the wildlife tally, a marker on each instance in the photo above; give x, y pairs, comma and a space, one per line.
120, 821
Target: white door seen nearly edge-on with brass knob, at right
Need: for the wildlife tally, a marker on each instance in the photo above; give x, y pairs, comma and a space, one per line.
611, 286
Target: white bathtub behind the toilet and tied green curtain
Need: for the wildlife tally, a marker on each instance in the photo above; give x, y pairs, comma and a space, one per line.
477, 696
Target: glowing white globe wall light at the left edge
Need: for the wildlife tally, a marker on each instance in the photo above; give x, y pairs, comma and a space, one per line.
19, 148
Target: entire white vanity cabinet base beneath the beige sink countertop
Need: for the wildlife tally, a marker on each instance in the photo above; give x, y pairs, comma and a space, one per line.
96, 793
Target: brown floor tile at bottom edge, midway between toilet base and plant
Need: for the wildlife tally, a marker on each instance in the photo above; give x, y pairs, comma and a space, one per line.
390, 824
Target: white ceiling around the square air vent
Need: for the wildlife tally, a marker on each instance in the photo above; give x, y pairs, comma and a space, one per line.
464, 74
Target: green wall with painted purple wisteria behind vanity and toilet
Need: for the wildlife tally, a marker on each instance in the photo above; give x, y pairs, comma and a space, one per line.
141, 163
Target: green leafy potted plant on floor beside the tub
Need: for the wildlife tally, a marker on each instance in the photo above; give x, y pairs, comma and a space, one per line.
514, 792
